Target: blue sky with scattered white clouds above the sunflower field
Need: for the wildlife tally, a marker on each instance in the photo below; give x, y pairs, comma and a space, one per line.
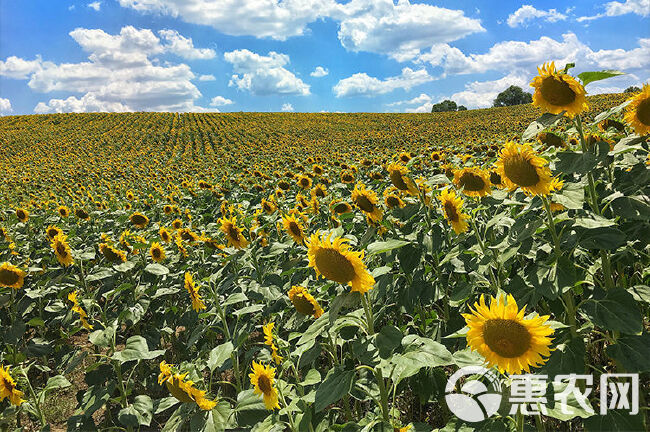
303, 55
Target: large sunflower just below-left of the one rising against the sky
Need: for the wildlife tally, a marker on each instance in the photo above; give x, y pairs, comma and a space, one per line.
519, 166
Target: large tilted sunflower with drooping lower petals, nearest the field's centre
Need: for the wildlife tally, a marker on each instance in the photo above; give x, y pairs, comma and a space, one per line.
334, 261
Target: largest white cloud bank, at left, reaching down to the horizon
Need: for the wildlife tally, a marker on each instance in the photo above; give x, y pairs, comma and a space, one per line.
121, 74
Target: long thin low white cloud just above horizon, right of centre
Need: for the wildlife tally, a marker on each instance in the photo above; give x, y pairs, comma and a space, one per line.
361, 84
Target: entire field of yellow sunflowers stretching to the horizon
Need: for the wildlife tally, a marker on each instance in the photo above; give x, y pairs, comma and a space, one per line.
326, 272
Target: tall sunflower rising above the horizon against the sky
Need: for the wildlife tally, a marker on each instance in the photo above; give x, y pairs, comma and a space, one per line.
556, 91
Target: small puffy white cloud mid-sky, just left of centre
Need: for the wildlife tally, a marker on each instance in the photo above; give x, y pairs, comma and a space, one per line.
264, 75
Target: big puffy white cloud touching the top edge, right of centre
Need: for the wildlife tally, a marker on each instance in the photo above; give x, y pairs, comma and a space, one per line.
400, 30
